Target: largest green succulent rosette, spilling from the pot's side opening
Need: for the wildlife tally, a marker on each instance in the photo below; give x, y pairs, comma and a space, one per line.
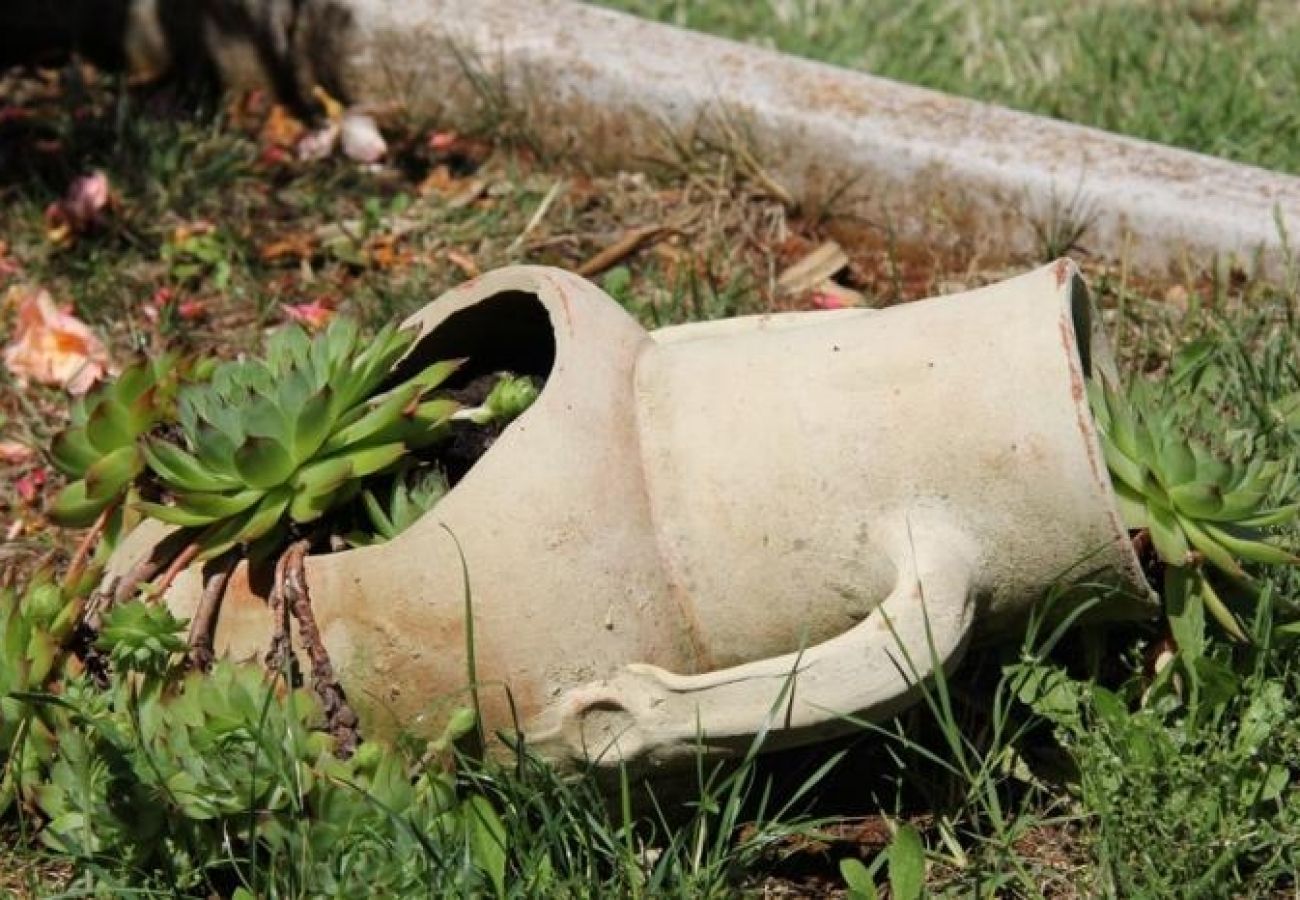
285, 439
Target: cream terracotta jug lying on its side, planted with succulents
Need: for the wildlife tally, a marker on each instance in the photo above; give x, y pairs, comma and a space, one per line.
686, 520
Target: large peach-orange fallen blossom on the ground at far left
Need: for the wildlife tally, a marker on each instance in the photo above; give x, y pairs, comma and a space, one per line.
53, 347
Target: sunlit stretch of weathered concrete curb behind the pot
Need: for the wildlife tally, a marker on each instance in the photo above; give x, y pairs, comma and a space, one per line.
616, 89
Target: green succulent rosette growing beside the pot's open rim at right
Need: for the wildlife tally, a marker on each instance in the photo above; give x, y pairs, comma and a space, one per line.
1198, 508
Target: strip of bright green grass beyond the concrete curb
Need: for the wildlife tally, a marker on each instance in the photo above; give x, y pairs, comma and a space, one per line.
1221, 77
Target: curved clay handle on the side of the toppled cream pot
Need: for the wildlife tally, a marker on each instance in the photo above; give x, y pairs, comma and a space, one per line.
645, 715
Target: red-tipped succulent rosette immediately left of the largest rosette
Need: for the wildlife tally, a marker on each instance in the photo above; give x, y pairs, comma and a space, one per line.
101, 449
